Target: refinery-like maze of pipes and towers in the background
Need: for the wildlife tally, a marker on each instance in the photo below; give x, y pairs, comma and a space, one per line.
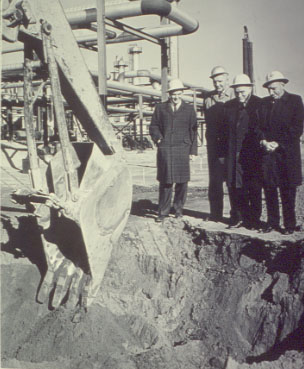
129, 105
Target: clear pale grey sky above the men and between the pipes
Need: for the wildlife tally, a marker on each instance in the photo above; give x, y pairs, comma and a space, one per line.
276, 29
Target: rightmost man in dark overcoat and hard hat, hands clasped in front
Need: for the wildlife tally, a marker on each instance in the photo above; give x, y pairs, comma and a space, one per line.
281, 126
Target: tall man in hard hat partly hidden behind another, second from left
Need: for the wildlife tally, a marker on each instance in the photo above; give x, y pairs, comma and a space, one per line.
213, 107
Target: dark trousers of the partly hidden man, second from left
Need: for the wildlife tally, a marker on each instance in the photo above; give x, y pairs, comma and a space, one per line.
216, 181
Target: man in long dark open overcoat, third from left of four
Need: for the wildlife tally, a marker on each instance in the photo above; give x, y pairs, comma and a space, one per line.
240, 147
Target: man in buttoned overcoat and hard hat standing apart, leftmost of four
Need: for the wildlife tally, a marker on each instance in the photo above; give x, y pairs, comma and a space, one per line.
174, 130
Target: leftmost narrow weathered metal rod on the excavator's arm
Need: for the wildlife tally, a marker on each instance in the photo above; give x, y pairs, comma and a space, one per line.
28, 119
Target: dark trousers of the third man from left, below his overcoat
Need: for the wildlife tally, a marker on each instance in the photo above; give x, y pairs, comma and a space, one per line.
246, 203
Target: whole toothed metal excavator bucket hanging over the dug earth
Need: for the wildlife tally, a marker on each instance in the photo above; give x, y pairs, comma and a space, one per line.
78, 244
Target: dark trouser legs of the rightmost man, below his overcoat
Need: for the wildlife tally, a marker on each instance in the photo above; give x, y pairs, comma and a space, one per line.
288, 198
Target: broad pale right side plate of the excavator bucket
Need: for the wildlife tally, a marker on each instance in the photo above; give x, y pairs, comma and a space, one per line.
104, 212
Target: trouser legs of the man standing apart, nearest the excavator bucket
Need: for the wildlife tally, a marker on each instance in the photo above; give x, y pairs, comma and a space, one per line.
165, 196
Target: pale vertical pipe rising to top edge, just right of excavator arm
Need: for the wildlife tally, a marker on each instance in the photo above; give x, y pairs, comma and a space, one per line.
102, 59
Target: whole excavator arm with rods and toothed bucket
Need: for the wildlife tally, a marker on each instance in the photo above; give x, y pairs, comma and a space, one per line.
80, 196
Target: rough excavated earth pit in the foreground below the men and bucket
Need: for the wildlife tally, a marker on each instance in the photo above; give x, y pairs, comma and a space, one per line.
176, 295
